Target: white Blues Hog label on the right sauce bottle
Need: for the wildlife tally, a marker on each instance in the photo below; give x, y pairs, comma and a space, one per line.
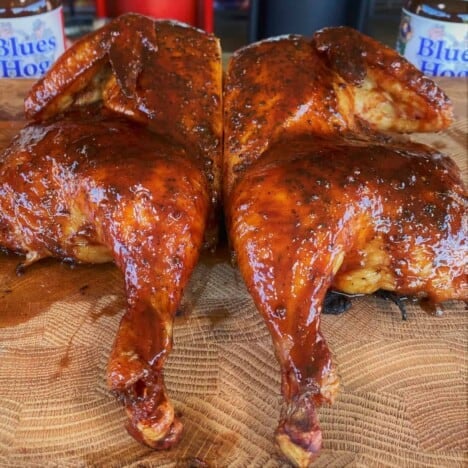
437, 48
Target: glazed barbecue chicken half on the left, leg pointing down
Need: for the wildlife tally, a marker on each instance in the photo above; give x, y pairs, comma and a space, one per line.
122, 164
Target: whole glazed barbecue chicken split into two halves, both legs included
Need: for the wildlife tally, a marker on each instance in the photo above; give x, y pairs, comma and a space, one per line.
122, 163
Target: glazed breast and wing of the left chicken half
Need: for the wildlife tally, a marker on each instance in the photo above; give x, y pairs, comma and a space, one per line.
163, 74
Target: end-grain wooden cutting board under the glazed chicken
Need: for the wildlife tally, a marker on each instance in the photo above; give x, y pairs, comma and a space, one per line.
403, 400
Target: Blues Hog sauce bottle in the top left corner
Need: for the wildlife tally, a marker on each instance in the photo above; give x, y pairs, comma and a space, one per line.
31, 37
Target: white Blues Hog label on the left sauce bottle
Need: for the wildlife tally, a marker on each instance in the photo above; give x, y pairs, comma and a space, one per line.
30, 45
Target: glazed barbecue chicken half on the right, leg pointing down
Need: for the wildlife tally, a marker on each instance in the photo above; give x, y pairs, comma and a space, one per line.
317, 197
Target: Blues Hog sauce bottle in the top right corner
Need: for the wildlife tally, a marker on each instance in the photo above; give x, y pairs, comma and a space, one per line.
433, 35
